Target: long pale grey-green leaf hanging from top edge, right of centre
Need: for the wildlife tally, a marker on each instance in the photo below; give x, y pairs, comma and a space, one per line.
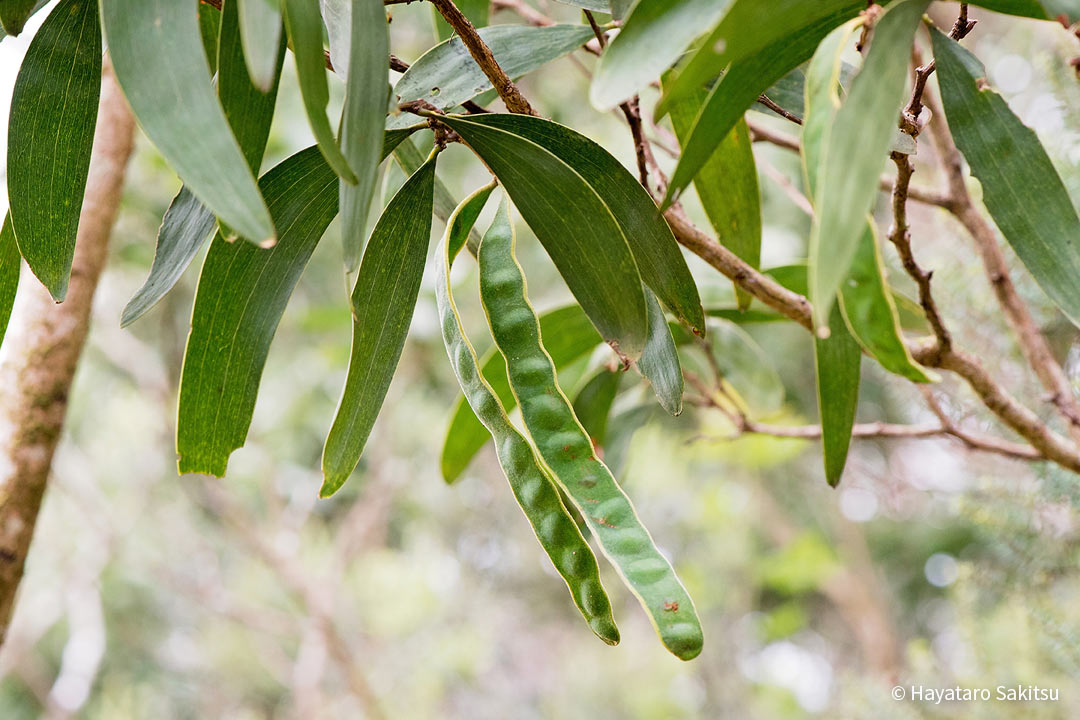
850, 181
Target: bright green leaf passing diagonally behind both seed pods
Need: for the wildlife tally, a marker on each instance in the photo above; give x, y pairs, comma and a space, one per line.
570, 337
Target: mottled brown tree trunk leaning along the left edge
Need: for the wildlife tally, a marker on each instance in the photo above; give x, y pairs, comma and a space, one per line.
44, 345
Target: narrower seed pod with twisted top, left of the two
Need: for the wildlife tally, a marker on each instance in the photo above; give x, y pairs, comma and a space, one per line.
539, 499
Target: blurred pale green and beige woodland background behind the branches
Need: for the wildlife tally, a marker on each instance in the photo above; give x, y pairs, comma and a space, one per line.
156, 596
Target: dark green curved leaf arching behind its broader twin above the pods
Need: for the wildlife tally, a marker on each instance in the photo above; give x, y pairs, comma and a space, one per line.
659, 260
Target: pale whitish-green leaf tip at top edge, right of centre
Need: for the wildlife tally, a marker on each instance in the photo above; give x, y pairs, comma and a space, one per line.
651, 42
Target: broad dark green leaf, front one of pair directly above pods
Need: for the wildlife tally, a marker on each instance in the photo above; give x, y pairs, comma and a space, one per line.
576, 227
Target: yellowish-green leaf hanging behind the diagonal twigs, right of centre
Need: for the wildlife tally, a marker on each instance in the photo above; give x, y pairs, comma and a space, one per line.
727, 186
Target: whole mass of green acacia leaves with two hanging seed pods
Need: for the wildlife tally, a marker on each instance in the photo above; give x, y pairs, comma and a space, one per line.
202, 79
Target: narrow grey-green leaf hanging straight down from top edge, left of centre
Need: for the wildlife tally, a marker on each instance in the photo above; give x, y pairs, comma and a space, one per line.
362, 120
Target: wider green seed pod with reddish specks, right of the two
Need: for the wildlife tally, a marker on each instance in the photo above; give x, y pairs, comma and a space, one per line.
565, 447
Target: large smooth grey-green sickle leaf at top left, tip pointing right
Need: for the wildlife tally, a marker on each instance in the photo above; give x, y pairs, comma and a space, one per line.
159, 61
